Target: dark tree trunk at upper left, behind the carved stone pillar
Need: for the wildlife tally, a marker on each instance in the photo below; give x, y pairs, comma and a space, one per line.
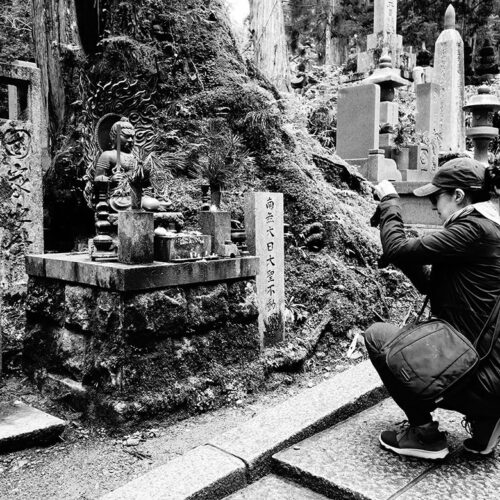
53, 22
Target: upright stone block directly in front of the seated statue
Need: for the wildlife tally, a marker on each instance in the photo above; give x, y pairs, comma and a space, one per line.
135, 237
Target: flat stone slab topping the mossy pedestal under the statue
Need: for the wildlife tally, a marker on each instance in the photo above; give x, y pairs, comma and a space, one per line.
78, 268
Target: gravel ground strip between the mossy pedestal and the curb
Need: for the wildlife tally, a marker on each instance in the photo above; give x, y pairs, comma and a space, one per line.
91, 461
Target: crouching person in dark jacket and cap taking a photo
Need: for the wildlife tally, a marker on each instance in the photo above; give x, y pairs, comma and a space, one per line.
458, 267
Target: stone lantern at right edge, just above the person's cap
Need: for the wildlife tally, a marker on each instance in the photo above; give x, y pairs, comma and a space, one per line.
482, 106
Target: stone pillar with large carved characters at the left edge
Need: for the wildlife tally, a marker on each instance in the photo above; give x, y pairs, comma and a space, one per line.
21, 199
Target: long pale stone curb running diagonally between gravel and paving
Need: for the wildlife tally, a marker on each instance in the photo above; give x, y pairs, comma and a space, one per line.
243, 454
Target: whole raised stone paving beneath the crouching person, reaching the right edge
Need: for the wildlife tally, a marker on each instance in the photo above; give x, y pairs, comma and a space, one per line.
346, 461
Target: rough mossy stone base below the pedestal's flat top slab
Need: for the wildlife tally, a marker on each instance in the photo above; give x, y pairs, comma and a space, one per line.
126, 355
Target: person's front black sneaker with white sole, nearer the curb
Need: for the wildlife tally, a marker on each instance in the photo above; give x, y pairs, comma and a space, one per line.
423, 441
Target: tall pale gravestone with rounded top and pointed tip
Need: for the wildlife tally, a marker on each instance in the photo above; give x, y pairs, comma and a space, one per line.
450, 76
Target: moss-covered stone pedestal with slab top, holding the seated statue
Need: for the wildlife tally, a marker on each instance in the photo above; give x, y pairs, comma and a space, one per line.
154, 331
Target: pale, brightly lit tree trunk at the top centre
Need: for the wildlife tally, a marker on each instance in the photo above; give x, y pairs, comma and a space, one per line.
268, 26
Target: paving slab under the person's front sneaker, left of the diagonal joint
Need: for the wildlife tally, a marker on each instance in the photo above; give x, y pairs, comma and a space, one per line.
347, 459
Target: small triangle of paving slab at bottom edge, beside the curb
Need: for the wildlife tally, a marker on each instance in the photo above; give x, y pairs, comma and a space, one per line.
275, 488
